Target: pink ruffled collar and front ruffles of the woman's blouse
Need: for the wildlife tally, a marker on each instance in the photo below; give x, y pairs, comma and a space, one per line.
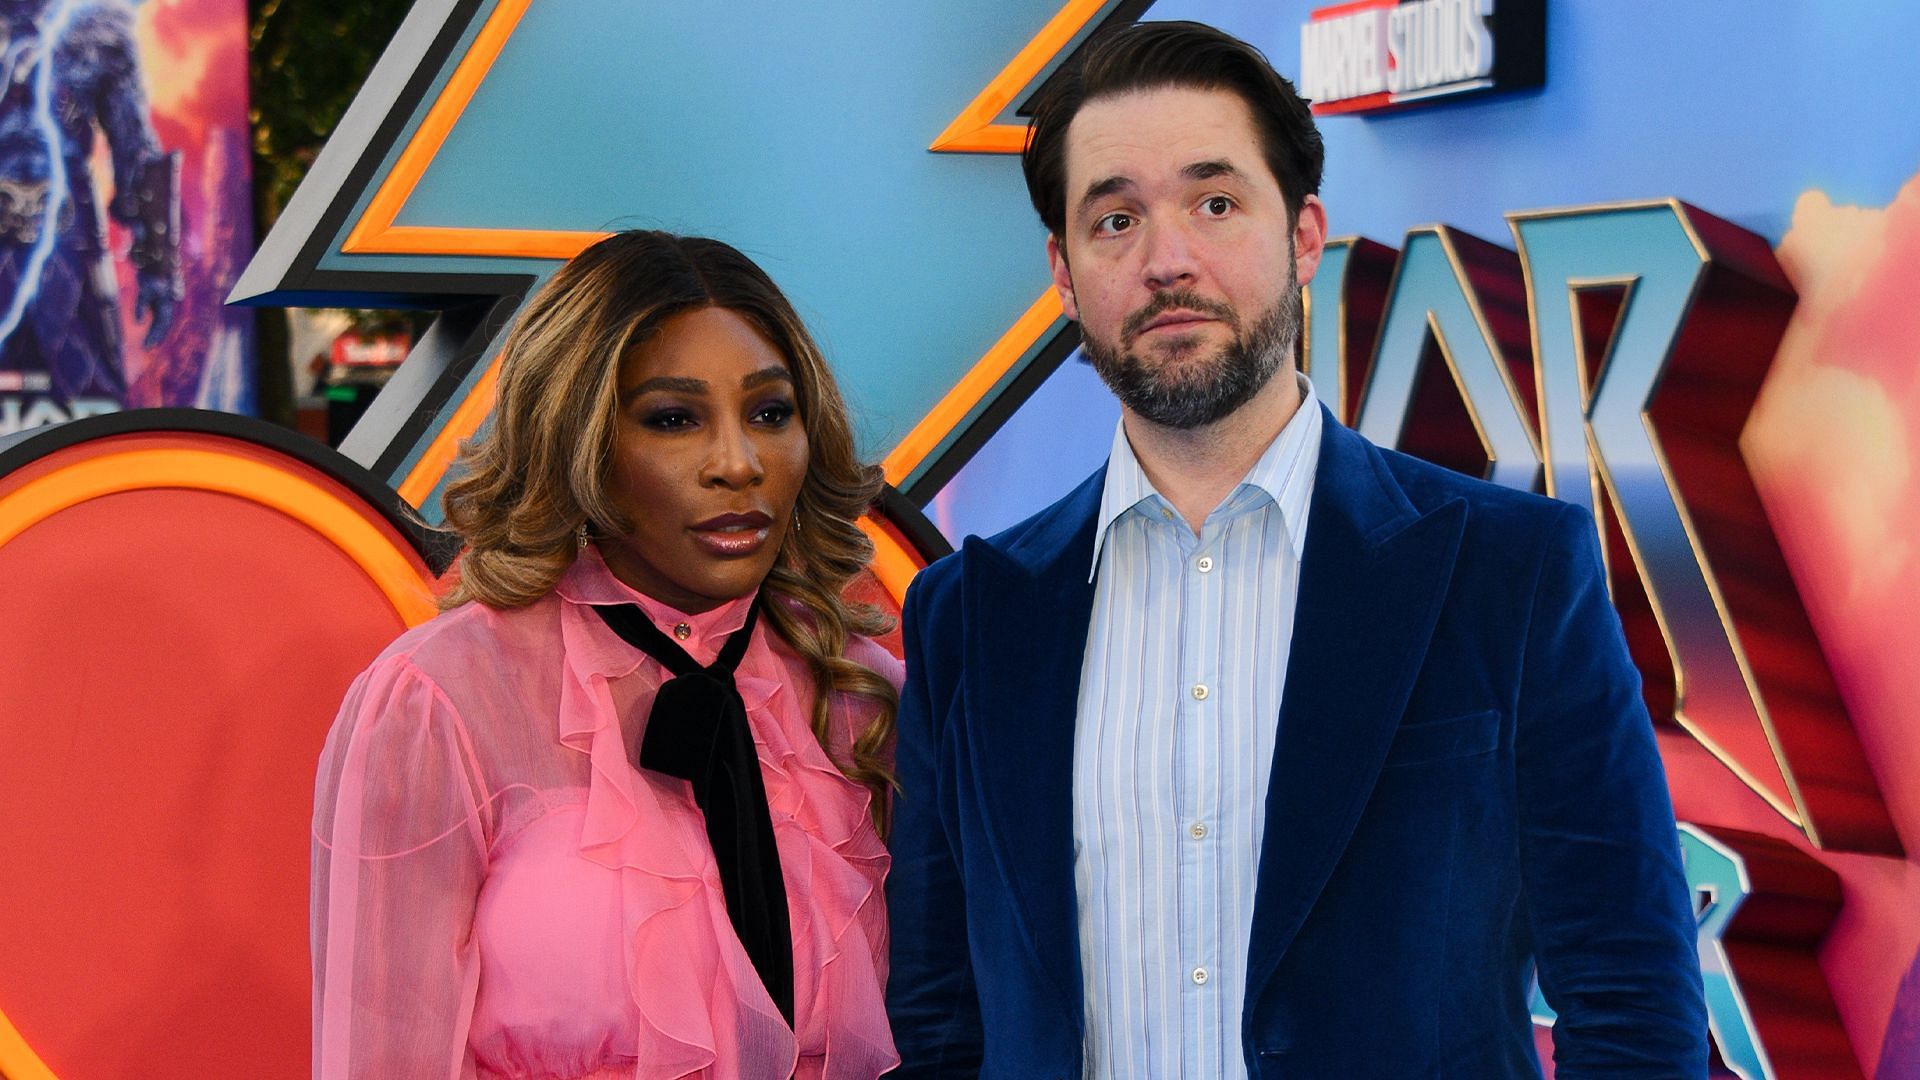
675, 902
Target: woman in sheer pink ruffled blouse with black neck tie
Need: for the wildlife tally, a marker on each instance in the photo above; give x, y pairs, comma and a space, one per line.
617, 812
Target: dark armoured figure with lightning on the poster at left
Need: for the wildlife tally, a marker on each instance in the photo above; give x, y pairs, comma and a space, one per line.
70, 68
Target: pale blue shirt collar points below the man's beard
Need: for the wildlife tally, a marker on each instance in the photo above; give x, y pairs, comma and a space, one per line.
1284, 474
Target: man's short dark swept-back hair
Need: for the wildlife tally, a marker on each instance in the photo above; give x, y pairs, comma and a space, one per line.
1147, 57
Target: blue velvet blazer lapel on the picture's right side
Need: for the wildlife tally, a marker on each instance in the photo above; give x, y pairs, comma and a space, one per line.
1372, 583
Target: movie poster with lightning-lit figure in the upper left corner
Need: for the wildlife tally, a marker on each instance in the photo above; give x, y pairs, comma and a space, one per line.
126, 209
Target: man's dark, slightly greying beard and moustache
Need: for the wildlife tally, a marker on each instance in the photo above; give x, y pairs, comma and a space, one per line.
1191, 393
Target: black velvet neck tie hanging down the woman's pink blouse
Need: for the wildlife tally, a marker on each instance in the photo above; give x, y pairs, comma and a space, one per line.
698, 731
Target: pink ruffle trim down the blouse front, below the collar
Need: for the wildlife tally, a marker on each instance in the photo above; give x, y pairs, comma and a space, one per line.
709, 1006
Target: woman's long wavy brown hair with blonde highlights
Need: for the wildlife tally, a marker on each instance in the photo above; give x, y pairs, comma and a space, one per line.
540, 470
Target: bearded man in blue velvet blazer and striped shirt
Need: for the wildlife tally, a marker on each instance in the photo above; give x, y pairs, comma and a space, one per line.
1264, 752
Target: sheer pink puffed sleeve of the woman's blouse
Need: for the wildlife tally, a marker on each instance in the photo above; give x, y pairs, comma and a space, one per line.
398, 858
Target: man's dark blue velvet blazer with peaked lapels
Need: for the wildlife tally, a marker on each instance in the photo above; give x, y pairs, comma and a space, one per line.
1464, 783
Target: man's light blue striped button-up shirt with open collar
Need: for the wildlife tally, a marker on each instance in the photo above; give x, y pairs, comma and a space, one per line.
1174, 745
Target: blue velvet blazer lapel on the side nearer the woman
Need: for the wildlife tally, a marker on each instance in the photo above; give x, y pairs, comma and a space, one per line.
1028, 606
